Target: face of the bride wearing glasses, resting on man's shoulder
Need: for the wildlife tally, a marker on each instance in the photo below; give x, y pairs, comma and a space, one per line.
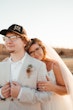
36, 51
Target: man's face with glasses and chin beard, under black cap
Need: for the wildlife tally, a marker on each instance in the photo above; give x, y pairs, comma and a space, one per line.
14, 43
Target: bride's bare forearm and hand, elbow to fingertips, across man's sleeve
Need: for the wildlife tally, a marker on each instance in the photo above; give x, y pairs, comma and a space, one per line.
50, 86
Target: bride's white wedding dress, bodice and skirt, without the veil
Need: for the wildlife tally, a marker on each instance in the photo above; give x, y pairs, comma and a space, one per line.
57, 102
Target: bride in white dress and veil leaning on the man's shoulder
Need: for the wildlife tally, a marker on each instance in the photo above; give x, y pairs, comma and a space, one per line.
56, 73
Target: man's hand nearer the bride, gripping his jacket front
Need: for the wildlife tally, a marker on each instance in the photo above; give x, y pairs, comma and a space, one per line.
15, 89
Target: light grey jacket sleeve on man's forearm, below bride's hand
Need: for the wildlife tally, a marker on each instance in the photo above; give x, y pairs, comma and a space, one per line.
28, 95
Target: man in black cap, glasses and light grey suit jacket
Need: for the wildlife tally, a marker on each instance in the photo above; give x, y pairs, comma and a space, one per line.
20, 93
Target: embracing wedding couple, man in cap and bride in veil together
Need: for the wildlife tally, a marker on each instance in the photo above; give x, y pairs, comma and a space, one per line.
36, 81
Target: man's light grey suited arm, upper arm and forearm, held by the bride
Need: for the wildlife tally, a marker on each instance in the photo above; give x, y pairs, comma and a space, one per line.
31, 95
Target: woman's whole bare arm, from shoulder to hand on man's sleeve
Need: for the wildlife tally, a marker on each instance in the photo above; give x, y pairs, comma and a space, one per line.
59, 87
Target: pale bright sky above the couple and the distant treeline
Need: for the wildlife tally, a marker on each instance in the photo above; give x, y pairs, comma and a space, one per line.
49, 20
